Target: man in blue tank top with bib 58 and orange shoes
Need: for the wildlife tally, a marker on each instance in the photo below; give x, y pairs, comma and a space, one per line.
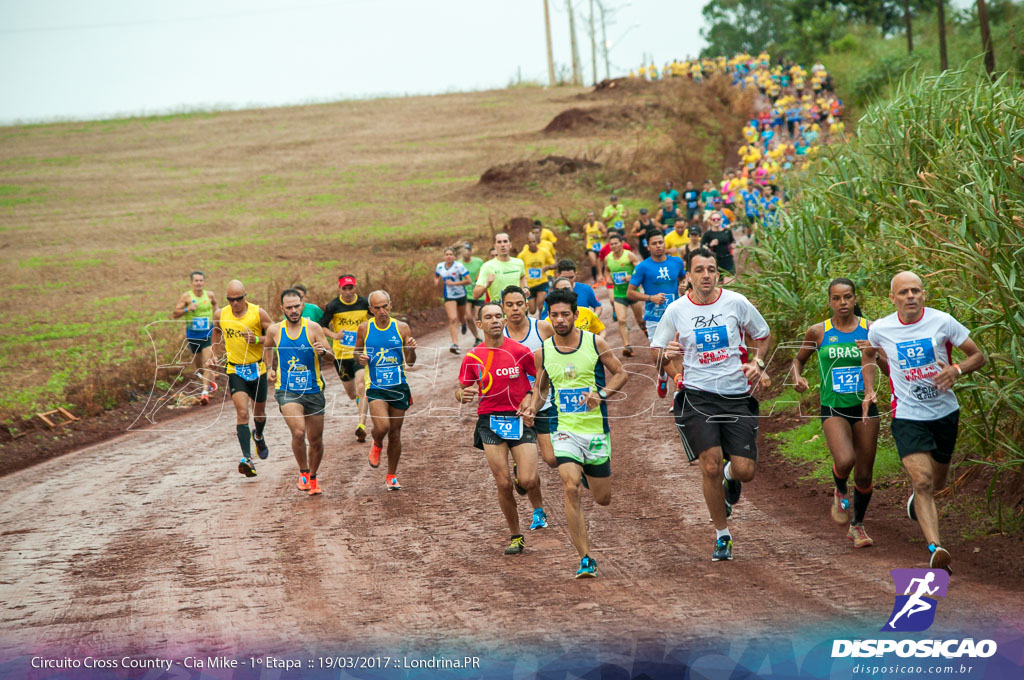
387, 348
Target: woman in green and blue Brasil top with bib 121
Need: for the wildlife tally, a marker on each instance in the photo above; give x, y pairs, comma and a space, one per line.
851, 440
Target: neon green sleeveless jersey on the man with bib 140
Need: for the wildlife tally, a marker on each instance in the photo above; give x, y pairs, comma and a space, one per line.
573, 375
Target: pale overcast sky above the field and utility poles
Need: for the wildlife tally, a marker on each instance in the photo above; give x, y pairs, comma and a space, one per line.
69, 59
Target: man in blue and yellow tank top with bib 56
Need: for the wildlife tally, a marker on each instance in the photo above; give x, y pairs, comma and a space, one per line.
292, 353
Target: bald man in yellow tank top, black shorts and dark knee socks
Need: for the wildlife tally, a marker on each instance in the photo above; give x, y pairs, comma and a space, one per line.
240, 328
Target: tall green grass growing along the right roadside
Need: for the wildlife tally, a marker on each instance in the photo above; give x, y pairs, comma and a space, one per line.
934, 183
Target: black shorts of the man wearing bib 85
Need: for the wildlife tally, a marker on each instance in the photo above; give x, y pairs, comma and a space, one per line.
706, 420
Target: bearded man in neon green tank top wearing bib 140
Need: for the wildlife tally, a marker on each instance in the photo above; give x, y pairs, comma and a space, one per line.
583, 372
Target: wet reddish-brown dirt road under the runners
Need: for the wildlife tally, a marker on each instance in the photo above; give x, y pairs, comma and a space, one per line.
154, 543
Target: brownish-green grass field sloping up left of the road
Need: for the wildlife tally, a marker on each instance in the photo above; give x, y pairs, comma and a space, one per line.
101, 223
